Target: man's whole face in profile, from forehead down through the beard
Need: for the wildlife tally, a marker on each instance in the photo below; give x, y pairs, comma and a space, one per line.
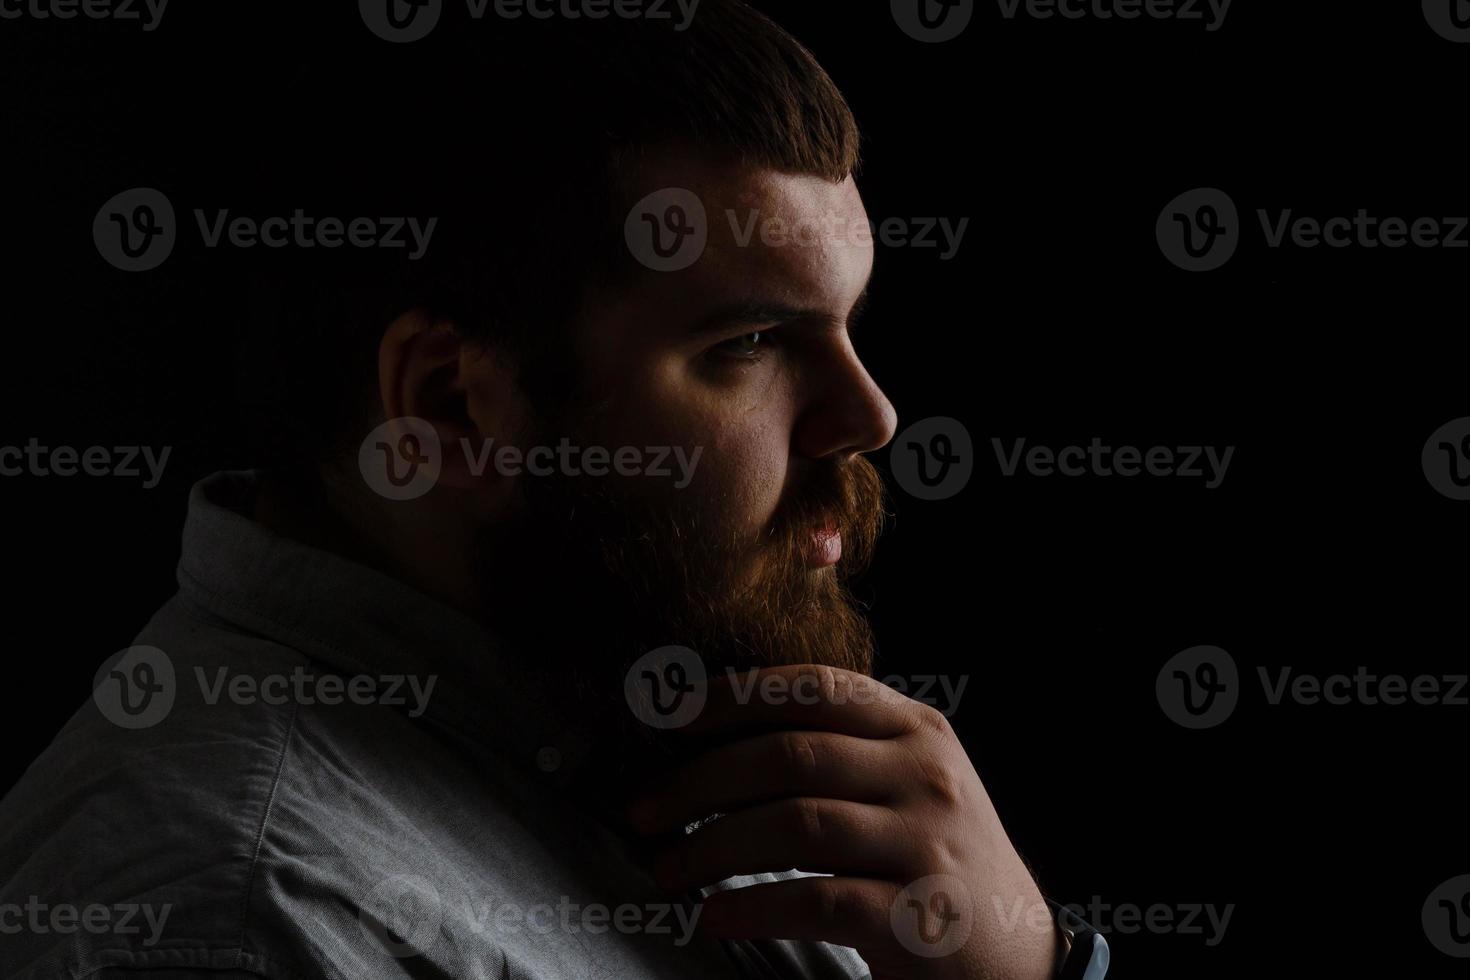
745, 365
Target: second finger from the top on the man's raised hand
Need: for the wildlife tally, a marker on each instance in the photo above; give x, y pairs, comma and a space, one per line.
770, 768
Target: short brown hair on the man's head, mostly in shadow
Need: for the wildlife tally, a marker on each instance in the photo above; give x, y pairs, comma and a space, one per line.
517, 137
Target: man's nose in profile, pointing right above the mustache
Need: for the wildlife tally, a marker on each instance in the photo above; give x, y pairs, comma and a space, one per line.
846, 412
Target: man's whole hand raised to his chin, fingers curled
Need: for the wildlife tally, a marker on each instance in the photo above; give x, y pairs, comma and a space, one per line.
847, 778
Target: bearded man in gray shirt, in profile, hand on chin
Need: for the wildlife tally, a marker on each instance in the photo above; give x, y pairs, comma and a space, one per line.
527, 649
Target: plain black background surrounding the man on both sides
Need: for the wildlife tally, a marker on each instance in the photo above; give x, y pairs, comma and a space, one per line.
1059, 321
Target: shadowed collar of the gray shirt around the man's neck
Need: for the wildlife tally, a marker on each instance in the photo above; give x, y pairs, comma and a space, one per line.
359, 622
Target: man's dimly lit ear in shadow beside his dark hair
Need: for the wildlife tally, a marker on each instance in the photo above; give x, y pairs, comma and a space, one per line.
467, 394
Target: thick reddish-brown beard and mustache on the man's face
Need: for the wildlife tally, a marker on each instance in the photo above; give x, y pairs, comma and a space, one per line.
592, 574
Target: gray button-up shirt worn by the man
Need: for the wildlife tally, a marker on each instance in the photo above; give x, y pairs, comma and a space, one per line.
306, 769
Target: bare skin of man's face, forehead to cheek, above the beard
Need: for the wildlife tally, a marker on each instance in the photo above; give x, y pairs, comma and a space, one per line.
746, 353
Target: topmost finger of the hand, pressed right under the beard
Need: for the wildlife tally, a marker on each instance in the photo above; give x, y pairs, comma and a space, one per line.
805, 697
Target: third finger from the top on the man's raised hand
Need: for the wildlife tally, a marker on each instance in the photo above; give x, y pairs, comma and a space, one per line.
815, 835
